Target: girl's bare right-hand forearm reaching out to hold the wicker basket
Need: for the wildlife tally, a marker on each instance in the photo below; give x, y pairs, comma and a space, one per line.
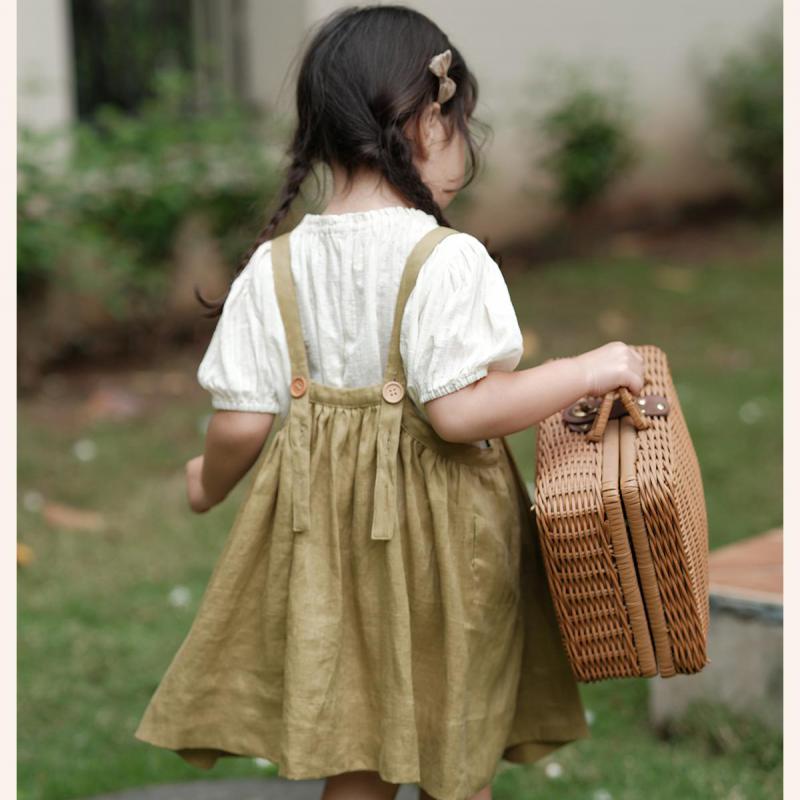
502, 403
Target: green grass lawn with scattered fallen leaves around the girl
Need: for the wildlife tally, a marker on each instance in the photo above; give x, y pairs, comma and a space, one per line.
97, 628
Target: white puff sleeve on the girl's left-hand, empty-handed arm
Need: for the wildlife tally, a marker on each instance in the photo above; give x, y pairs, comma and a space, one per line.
241, 366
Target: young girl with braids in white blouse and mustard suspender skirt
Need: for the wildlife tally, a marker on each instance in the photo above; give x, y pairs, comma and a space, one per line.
379, 613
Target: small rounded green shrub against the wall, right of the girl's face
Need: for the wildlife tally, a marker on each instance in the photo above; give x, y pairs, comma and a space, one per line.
588, 140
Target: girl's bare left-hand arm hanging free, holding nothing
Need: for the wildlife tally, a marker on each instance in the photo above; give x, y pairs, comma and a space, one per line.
233, 442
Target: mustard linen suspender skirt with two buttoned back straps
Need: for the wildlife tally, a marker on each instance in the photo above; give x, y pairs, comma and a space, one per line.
380, 602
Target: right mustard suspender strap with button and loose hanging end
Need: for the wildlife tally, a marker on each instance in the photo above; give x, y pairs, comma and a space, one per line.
384, 516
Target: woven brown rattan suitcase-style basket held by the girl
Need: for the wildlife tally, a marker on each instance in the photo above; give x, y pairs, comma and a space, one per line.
621, 518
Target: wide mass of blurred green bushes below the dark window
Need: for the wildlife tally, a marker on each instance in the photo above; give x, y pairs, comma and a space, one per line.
128, 183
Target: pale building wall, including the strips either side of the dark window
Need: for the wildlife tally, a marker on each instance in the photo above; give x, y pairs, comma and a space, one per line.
507, 44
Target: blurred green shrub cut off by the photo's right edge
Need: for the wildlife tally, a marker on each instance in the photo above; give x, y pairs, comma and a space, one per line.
745, 104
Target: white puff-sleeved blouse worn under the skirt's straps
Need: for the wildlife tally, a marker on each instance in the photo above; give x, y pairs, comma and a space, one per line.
458, 322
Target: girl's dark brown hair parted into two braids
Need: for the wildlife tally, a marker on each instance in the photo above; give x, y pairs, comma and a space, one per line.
363, 76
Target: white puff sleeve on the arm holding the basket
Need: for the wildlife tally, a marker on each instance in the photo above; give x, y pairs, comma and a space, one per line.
459, 322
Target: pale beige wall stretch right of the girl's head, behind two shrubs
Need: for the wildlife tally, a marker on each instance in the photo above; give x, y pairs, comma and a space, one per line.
507, 42
